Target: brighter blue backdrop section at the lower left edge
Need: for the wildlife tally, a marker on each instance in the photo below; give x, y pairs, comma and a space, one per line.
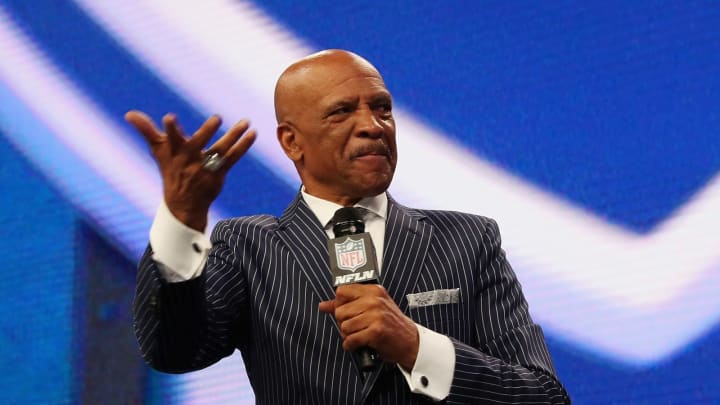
36, 291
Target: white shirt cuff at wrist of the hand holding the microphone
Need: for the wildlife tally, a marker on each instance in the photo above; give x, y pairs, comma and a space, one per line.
434, 366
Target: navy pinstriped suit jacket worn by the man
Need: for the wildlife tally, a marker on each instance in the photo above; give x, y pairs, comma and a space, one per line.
265, 276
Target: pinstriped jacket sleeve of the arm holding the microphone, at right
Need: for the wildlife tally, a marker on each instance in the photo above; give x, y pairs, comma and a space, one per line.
511, 363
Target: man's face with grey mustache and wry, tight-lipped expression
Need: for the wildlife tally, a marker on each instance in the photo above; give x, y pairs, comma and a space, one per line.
345, 130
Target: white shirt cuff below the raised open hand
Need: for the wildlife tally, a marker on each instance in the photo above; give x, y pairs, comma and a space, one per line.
179, 251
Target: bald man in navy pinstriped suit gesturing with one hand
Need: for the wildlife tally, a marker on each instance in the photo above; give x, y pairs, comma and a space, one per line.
448, 318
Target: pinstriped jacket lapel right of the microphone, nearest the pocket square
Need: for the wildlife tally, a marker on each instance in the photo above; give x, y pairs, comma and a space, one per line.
407, 239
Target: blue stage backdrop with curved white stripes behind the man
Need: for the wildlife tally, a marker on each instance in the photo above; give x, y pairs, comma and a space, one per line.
589, 130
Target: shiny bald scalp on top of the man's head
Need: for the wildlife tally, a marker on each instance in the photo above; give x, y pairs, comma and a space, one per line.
299, 83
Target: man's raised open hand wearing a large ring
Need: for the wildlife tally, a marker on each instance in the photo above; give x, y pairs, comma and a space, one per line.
189, 186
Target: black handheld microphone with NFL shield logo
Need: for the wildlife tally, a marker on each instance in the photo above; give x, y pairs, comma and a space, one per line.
353, 260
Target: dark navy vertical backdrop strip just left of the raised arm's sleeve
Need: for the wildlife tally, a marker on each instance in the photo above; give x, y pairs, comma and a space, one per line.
106, 351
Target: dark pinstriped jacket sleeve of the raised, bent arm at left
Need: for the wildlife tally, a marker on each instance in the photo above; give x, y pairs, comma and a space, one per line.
192, 324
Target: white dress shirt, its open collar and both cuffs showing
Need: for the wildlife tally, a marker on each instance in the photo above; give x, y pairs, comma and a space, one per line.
181, 252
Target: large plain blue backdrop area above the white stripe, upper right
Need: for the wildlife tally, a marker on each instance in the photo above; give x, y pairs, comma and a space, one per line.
612, 105
